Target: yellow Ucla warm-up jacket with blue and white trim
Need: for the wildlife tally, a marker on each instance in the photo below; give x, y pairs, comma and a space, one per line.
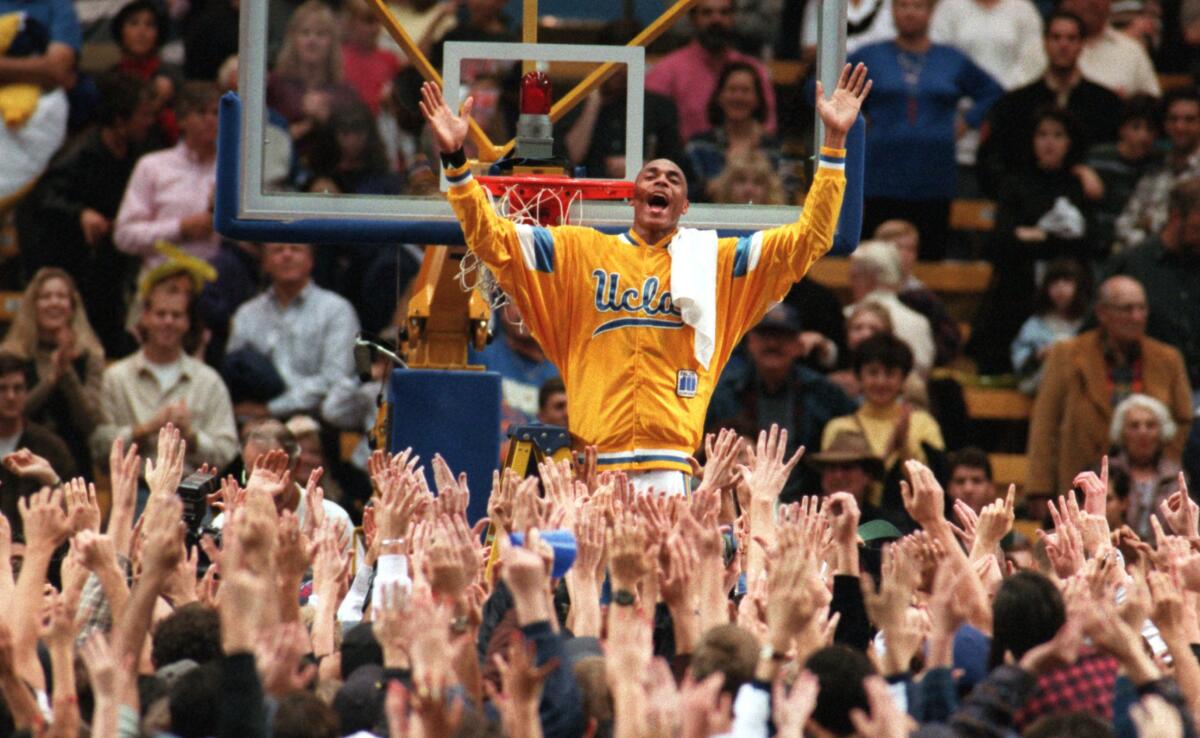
601, 308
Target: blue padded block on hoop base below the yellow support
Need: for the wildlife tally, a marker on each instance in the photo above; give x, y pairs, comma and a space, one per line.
453, 413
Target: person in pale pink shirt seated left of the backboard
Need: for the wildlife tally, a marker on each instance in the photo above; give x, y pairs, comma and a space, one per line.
170, 196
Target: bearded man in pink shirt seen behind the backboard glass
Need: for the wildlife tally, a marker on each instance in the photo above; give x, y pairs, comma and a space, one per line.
689, 76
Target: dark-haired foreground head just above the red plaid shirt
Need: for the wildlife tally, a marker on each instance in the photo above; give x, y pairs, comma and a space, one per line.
1028, 613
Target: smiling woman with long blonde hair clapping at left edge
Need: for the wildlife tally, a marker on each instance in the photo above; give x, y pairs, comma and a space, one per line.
67, 362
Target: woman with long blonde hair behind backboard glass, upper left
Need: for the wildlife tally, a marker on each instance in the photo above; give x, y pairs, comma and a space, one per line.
307, 83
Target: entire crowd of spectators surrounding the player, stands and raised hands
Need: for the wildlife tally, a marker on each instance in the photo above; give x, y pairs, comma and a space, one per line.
845, 593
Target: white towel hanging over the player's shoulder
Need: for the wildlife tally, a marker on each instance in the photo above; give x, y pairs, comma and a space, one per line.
694, 286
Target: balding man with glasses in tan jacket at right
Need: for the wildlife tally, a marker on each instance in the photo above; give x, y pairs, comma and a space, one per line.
1088, 376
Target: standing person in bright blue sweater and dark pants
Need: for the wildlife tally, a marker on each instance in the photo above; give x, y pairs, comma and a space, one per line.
914, 122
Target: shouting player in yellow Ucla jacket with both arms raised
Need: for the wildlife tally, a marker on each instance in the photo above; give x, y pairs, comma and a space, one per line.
641, 325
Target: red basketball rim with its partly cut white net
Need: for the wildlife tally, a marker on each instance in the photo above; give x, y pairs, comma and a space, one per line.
535, 200
